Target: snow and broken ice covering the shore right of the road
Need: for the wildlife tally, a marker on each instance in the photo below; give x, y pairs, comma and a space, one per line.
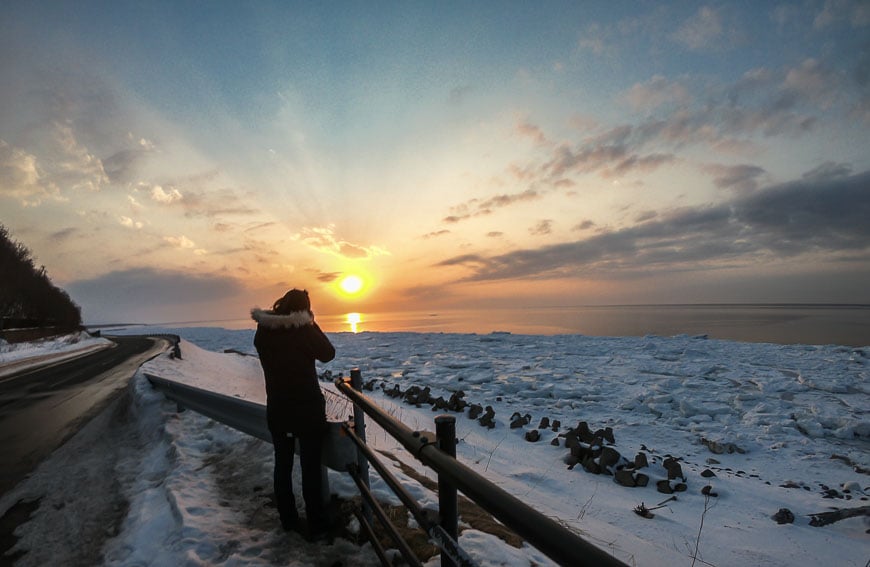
780, 426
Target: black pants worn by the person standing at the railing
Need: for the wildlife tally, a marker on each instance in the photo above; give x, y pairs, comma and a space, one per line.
310, 447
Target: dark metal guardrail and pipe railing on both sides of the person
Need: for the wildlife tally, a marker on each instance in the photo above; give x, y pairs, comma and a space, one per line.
435, 450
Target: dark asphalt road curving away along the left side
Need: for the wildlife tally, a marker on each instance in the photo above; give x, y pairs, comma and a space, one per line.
42, 408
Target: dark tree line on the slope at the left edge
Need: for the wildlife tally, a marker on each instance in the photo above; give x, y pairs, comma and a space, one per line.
27, 296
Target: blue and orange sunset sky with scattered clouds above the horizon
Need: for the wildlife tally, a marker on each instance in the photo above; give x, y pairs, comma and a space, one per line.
186, 161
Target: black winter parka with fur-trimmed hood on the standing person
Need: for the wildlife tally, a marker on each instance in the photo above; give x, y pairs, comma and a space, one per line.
288, 346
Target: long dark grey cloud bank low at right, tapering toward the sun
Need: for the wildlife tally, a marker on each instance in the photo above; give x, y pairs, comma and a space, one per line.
808, 216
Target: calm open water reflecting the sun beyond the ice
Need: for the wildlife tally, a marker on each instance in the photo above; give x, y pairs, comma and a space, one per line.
814, 324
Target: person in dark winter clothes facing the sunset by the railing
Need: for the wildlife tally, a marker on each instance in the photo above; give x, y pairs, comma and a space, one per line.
288, 342
